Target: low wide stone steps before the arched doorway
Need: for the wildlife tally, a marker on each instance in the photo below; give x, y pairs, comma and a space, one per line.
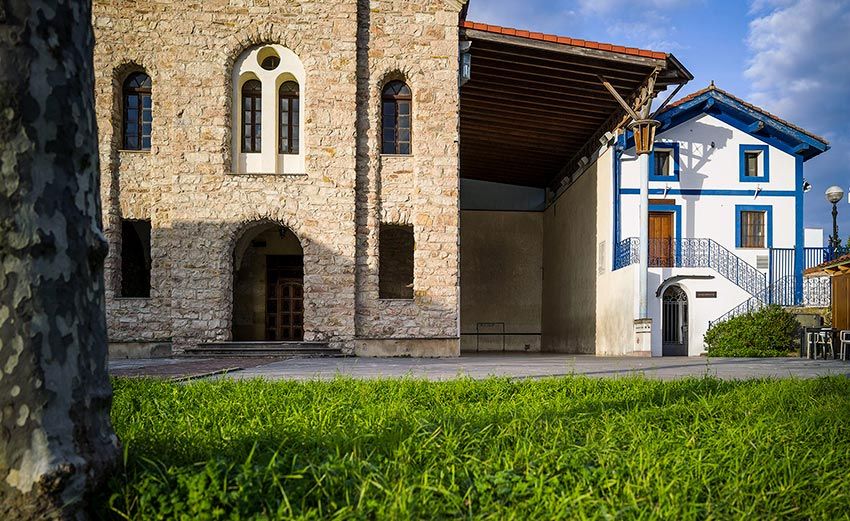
262, 349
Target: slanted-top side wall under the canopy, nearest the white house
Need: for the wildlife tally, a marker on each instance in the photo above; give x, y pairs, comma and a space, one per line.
569, 267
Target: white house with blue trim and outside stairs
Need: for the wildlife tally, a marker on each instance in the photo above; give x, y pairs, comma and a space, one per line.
726, 233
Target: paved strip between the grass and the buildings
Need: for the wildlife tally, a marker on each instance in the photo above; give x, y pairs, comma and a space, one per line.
482, 366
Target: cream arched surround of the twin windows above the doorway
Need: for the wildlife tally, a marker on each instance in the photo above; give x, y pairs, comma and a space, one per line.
248, 66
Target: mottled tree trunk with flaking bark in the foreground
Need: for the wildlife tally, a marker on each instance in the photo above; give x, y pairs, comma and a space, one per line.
56, 440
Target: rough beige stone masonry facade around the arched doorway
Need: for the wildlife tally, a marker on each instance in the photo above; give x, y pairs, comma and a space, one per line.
199, 209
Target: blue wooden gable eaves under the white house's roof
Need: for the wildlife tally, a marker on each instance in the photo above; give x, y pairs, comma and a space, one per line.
745, 119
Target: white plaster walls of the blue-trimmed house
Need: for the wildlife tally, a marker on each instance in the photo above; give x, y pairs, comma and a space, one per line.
709, 155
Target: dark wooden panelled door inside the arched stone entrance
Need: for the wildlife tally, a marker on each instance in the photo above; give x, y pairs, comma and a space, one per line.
284, 298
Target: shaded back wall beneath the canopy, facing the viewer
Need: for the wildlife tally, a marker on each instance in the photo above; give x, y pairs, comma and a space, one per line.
501, 278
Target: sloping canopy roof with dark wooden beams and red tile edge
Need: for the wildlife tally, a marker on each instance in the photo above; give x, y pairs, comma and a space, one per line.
535, 104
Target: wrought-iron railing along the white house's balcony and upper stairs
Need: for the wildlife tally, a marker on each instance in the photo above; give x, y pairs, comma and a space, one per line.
693, 253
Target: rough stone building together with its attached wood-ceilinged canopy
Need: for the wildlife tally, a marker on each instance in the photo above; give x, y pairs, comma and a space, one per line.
333, 172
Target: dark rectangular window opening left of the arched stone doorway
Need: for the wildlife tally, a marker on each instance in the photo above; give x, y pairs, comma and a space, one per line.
135, 258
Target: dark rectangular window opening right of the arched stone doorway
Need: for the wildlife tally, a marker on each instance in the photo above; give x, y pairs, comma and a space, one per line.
395, 261
